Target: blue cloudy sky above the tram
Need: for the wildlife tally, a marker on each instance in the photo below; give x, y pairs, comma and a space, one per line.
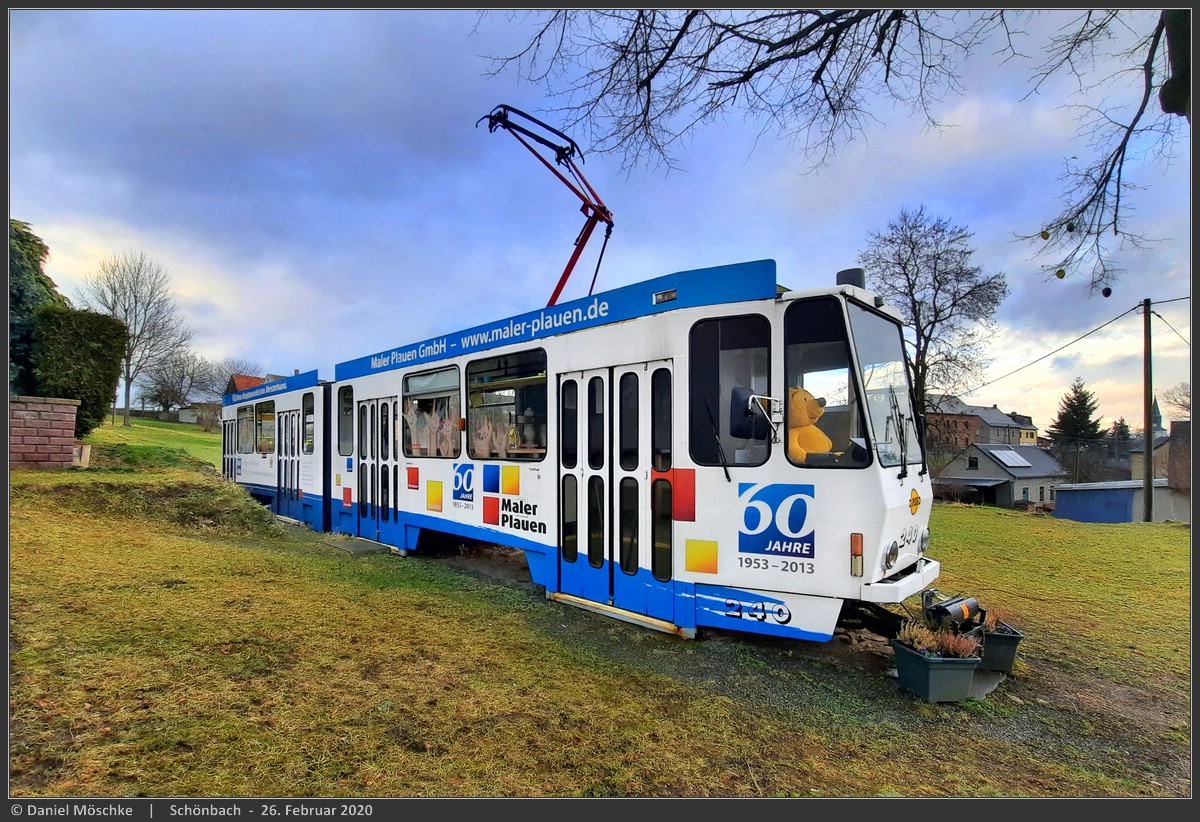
319, 188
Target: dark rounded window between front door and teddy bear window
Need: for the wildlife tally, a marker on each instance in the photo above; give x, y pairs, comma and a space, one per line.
729, 356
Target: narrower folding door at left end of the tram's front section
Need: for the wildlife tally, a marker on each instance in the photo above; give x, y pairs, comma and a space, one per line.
377, 466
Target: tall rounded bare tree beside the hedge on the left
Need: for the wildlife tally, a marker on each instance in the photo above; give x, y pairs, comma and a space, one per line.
137, 292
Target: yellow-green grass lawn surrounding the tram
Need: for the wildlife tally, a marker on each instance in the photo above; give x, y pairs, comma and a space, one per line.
170, 639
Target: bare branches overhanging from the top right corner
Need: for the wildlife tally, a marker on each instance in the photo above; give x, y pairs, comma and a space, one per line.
643, 81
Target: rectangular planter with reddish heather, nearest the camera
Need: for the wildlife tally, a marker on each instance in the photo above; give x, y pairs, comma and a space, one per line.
937, 665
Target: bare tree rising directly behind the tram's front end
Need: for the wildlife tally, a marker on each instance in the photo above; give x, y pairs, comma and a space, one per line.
922, 266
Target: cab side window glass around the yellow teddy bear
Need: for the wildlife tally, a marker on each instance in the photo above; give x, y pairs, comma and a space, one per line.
817, 358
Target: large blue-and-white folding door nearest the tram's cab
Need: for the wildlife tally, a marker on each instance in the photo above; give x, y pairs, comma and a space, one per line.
615, 434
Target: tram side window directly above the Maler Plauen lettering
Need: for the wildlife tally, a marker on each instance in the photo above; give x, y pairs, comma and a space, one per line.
507, 406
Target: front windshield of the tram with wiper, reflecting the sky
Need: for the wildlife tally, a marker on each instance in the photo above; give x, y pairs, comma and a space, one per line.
880, 349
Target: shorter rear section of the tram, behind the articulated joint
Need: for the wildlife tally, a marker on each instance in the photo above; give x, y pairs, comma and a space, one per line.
274, 445
